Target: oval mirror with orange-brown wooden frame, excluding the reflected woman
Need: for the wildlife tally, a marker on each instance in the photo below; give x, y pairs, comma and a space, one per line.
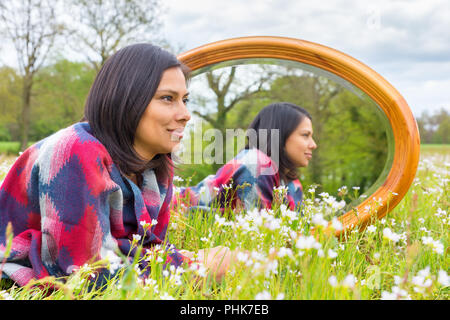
367, 136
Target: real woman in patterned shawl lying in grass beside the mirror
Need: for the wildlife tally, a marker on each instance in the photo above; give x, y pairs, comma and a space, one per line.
93, 187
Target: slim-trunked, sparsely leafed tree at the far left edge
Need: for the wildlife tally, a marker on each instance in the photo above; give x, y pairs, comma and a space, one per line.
32, 26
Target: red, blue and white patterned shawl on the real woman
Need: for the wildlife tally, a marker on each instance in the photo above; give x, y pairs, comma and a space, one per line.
69, 205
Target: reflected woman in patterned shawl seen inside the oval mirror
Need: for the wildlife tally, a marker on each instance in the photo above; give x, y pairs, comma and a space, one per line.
279, 142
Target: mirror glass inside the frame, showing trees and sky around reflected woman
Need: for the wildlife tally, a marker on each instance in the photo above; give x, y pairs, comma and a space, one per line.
354, 137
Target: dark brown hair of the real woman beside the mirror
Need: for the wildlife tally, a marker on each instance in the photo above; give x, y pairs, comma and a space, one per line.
121, 92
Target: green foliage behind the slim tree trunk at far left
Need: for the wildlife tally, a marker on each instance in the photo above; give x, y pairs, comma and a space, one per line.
60, 91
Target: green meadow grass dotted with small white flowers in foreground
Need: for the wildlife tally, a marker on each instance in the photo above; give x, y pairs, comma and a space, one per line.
403, 256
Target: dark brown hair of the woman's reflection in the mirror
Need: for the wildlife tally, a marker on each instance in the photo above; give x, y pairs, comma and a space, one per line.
285, 117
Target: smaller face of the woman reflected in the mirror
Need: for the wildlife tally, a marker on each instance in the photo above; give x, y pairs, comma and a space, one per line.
300, 144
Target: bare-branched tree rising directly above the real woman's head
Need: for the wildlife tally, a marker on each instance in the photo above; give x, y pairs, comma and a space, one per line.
103, 26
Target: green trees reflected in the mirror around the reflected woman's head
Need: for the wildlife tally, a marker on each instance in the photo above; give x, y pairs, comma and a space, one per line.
347, 124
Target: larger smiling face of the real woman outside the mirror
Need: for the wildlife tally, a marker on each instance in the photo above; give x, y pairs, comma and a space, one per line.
161, 127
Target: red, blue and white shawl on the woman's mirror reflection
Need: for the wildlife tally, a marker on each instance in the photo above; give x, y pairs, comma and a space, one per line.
250, 179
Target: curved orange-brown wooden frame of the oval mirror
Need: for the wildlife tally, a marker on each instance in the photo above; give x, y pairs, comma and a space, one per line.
401, 119
